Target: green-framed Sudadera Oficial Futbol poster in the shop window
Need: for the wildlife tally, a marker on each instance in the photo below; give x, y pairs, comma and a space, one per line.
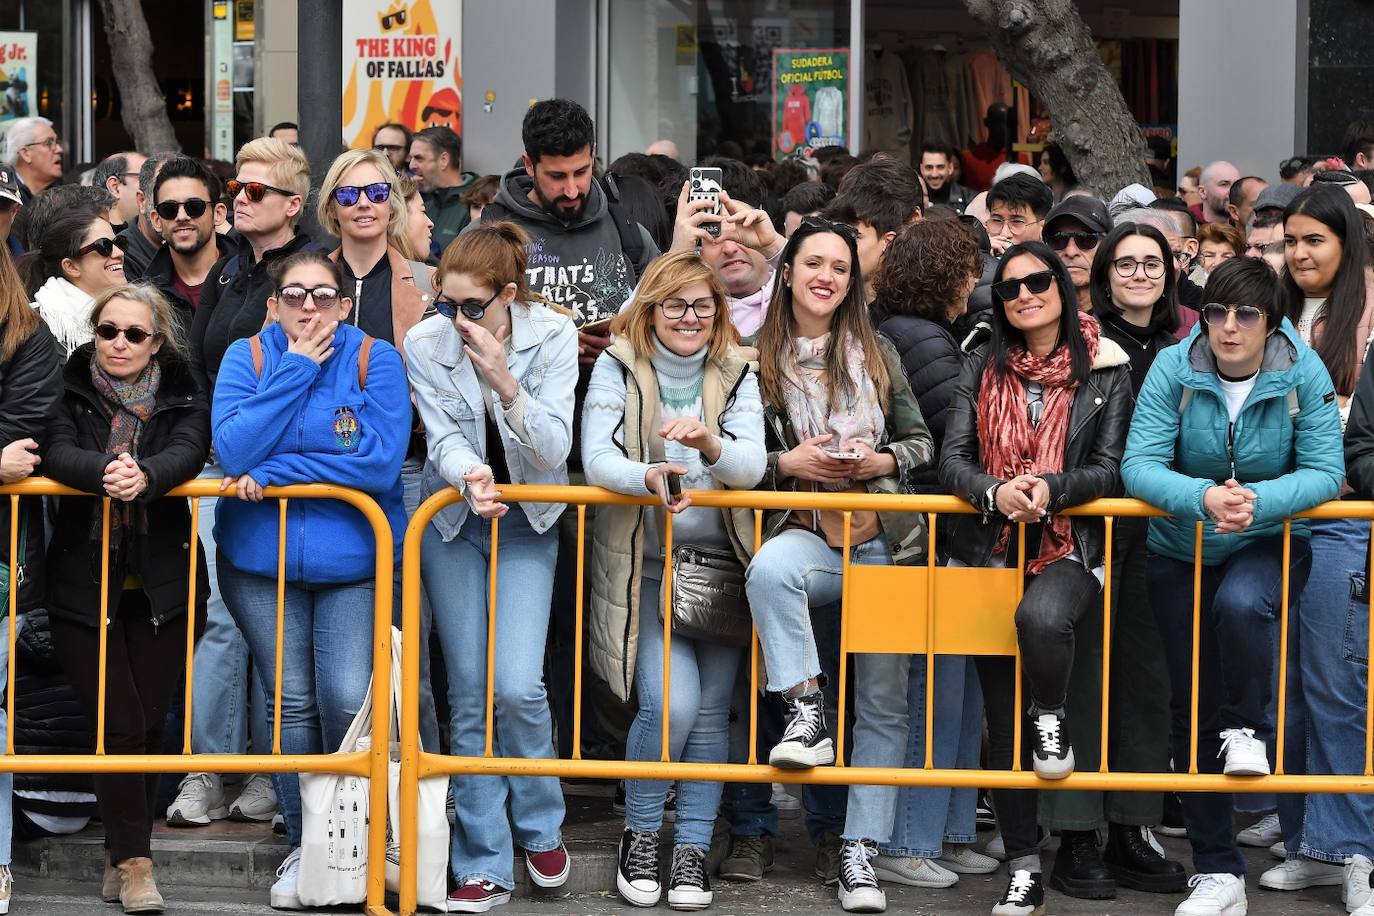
810, 89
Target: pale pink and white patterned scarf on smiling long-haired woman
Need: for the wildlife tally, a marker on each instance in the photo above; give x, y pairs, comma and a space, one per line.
809, 399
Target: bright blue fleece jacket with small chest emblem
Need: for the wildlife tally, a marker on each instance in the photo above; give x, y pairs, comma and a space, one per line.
307, 424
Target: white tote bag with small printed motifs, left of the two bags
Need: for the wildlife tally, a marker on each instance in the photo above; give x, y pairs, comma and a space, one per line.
335, 814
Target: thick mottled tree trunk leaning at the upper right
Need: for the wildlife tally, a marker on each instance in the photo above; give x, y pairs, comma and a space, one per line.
1046, 46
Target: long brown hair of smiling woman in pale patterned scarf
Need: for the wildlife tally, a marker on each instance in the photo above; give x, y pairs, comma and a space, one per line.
848, 322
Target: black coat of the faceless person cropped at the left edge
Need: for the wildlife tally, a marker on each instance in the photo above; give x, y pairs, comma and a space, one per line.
31, 391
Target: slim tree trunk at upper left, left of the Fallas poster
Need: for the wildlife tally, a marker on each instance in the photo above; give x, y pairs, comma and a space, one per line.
142, 105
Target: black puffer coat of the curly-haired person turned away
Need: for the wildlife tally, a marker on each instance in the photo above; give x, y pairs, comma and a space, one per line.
932, 363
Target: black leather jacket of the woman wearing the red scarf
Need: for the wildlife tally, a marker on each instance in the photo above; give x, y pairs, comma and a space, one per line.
1099, 424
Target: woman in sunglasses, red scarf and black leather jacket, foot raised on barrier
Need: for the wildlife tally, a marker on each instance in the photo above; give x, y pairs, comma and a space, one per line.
1037, 425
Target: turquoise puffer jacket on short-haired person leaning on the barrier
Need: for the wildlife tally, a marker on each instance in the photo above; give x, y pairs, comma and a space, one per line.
1292, 463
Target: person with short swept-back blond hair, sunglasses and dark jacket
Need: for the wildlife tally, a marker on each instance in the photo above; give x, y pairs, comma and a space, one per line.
269, 198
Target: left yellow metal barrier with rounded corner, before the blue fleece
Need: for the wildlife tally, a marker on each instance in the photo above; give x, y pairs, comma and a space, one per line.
365, 764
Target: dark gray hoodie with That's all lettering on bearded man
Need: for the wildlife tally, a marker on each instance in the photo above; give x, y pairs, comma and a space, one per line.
578, 266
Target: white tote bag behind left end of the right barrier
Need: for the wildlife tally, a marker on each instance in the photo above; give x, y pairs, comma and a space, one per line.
432, 866
